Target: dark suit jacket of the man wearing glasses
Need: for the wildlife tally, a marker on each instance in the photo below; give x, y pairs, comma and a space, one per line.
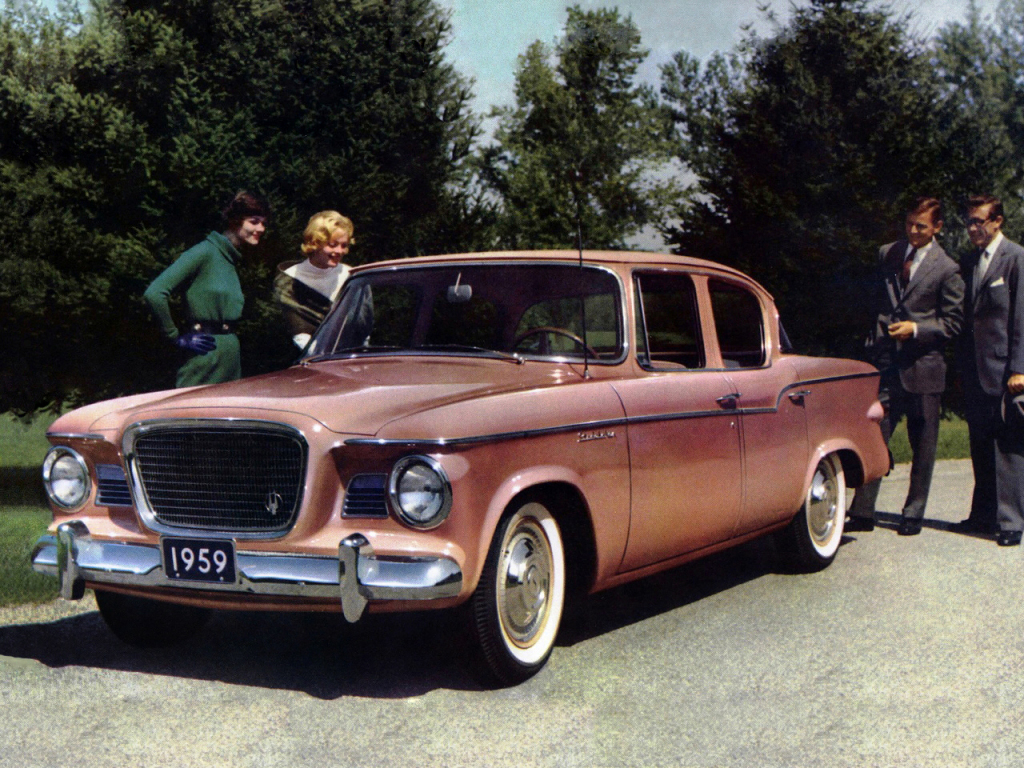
993, 346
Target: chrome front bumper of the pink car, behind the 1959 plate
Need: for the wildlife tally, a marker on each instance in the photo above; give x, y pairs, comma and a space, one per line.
357, 576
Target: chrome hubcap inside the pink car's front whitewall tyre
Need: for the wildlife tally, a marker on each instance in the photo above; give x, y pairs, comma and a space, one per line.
525, 583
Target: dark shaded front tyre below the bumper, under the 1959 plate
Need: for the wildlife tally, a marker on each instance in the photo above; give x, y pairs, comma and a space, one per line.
149, 624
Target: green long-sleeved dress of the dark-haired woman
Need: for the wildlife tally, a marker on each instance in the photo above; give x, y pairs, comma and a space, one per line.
214, 295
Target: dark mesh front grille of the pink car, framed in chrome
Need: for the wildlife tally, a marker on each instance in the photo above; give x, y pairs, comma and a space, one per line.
232, 479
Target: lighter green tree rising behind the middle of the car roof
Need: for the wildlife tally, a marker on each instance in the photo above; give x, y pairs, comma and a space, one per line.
582, 142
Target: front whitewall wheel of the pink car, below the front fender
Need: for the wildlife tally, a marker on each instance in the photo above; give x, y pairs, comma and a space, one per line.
518, 607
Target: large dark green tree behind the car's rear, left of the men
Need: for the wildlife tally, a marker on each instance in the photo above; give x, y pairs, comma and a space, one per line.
806, 147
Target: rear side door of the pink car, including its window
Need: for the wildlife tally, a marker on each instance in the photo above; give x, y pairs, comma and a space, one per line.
774, 423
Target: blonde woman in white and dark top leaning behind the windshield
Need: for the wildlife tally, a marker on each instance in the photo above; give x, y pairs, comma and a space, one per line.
308, 289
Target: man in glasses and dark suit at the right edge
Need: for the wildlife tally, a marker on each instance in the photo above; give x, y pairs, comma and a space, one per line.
992, 360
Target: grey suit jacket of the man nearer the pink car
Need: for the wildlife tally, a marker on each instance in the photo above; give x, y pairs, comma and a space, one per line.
933, 300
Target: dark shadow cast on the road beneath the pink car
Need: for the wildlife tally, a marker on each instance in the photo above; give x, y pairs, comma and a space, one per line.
383, 656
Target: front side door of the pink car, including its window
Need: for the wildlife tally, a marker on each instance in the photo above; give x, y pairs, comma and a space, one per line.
684, 429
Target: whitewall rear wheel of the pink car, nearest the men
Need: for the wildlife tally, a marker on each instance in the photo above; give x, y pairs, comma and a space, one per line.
813, 539
